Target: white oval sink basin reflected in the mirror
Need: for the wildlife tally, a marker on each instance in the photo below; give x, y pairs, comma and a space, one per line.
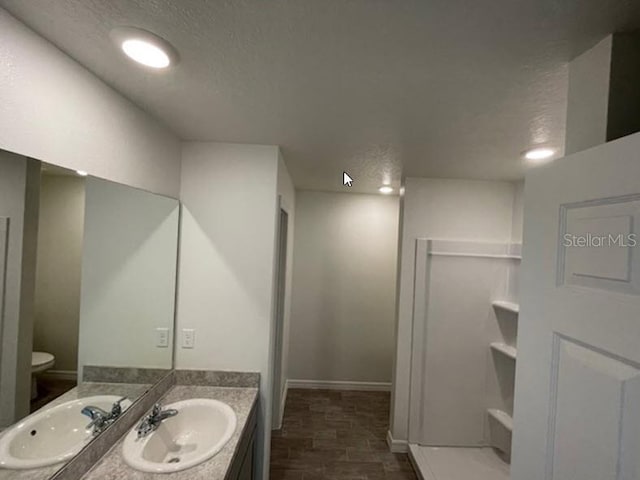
52, 435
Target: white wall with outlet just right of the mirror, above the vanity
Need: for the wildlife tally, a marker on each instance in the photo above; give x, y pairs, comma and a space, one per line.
226, 277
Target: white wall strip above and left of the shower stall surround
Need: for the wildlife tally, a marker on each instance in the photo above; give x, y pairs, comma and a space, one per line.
448, 210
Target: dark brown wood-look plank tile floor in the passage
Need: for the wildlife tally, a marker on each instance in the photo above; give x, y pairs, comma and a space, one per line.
336, 435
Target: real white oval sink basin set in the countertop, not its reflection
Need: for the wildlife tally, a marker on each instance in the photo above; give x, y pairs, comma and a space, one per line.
199, 431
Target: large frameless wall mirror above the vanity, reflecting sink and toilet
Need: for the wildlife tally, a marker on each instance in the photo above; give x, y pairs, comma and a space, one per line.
87, 301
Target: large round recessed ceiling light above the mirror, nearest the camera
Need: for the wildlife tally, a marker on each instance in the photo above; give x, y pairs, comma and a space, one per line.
144, 47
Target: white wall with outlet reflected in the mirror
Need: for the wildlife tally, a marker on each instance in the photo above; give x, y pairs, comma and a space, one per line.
128, 276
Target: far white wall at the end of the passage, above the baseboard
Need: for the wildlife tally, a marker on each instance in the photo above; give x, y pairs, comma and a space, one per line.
343, 287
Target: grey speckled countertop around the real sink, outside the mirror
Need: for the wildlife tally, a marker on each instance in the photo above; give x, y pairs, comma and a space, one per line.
113, 467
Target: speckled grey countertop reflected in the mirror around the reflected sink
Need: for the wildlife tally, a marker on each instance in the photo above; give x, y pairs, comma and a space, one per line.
86, 389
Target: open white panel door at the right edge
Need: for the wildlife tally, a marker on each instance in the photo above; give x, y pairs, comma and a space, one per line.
577, 404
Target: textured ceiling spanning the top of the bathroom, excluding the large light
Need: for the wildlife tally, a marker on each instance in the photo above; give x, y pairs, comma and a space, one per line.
448, 88
